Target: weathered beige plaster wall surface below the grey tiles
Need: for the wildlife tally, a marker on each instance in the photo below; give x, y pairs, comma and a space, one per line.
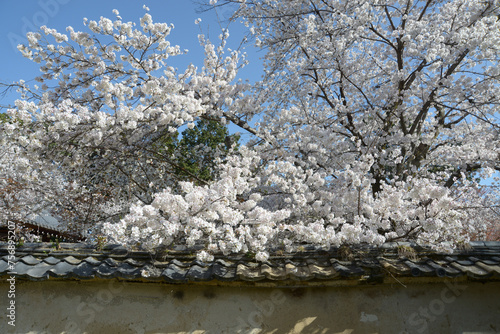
115, 307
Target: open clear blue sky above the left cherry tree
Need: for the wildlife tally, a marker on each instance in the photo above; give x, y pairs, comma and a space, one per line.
19, 17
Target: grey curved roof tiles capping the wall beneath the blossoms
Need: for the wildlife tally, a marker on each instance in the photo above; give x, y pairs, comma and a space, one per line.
480, 261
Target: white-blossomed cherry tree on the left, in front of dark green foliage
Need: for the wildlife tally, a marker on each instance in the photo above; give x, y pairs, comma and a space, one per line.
105, 113
